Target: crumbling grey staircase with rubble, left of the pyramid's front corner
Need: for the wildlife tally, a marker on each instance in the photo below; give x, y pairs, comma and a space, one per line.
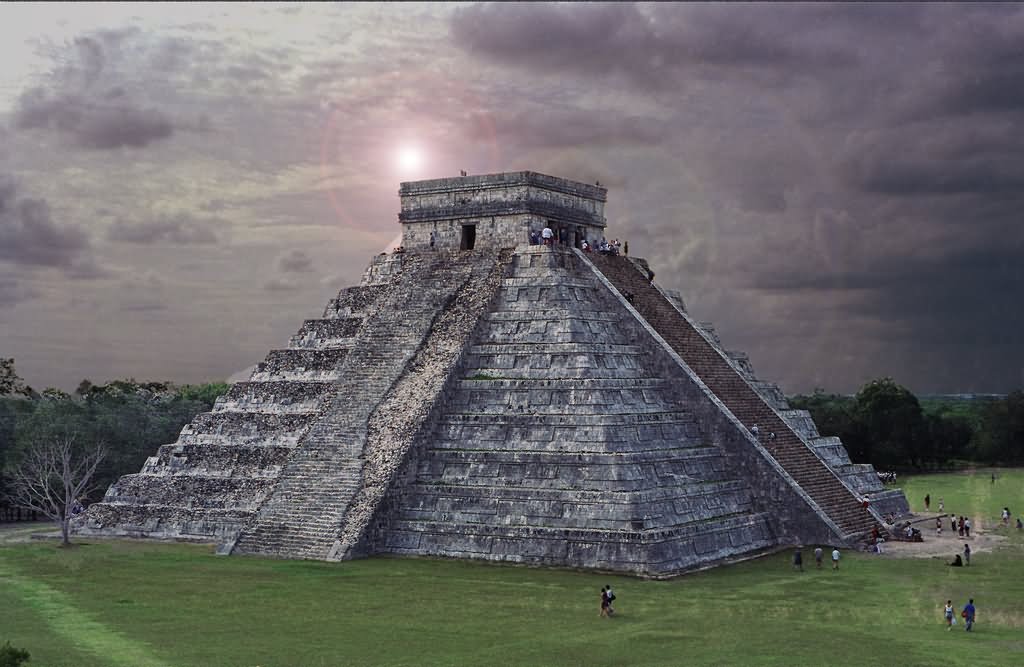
312, 513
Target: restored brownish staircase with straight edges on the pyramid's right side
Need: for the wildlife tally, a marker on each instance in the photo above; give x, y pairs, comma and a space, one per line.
726, 382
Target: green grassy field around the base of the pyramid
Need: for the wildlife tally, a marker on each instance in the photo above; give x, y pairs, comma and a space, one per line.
135, 605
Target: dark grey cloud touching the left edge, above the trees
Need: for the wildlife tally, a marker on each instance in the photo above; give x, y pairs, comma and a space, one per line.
29, 237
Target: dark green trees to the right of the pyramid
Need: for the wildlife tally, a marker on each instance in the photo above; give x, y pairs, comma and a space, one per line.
888, 427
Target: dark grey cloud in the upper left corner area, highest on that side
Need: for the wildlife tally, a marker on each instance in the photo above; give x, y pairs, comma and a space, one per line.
89, 101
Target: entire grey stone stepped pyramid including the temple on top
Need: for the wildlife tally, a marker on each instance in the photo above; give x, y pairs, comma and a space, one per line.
478, 397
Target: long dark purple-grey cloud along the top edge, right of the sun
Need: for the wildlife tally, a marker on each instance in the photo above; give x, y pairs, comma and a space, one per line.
651, 45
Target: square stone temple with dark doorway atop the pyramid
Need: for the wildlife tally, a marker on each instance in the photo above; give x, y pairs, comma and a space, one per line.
499, 211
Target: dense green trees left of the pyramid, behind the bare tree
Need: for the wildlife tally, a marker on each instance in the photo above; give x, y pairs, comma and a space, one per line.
130, 420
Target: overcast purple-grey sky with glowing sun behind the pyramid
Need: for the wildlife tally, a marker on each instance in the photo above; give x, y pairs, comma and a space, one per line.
839, 189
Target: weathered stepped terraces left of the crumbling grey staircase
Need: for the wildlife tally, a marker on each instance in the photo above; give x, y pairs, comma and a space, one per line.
208, 485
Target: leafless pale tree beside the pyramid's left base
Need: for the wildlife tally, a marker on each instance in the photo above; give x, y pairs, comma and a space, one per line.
52, 479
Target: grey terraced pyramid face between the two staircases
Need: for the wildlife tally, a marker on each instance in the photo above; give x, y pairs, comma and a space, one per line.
564, 444
